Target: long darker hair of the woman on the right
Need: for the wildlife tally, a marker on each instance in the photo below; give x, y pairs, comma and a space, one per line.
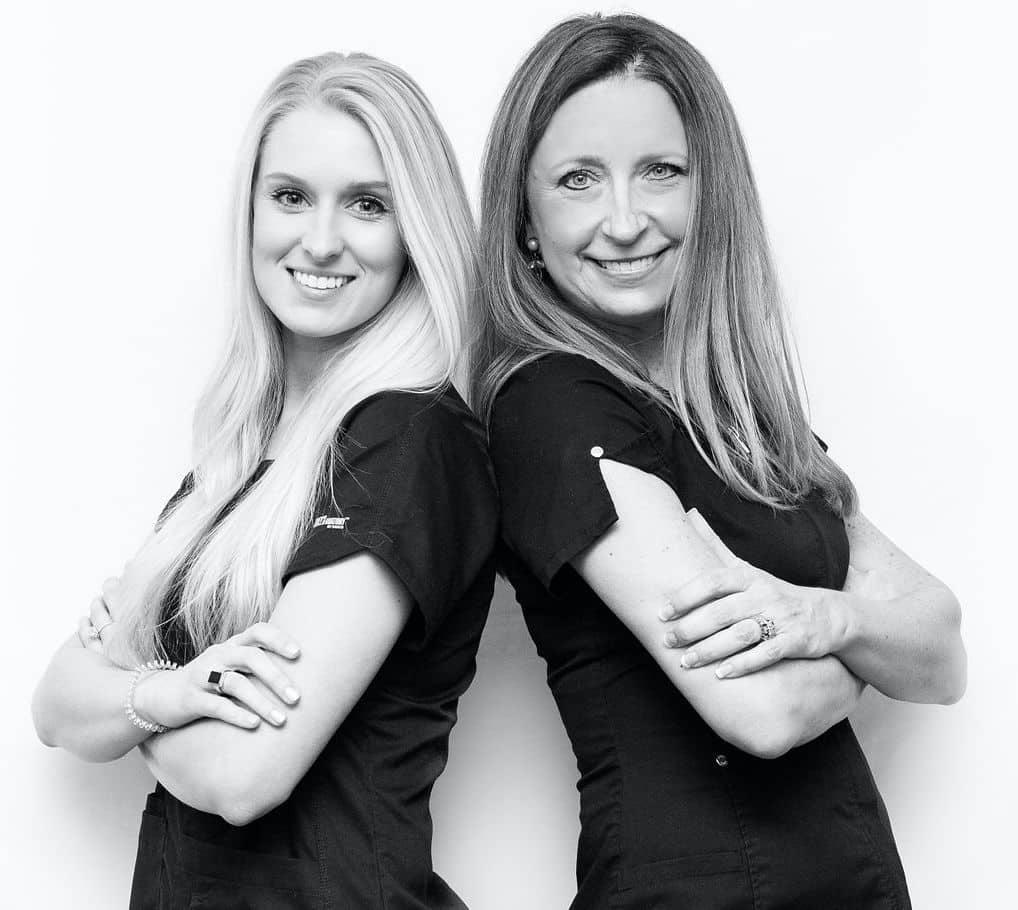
732, 376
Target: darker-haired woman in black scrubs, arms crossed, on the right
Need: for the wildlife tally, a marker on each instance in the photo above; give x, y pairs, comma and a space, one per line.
692, 563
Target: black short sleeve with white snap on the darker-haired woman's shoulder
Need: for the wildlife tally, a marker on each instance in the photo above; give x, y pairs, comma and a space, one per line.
551, 424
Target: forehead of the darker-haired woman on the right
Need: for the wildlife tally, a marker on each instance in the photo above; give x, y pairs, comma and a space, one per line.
616, 119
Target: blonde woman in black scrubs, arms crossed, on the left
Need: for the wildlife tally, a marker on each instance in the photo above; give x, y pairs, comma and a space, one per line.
342, 499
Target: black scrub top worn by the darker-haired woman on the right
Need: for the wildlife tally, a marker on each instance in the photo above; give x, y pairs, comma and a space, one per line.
672, 816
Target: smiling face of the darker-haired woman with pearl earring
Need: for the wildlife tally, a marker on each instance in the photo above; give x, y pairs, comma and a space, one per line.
609, 198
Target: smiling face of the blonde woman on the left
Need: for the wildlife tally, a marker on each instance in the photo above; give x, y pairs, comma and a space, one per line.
326, 251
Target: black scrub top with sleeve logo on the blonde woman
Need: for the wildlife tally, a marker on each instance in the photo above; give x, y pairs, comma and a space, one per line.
418, 491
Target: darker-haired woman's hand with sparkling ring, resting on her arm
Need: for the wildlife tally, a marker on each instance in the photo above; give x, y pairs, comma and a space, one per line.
747, 617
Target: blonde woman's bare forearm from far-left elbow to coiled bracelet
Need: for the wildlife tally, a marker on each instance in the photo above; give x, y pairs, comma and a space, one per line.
80, 706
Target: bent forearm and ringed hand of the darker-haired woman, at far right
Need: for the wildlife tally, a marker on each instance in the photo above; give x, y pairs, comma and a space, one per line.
894, 625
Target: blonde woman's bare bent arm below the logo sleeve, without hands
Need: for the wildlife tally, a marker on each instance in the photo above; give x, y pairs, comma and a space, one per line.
348, 617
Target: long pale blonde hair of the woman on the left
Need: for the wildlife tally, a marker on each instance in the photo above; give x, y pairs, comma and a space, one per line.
223, 564
